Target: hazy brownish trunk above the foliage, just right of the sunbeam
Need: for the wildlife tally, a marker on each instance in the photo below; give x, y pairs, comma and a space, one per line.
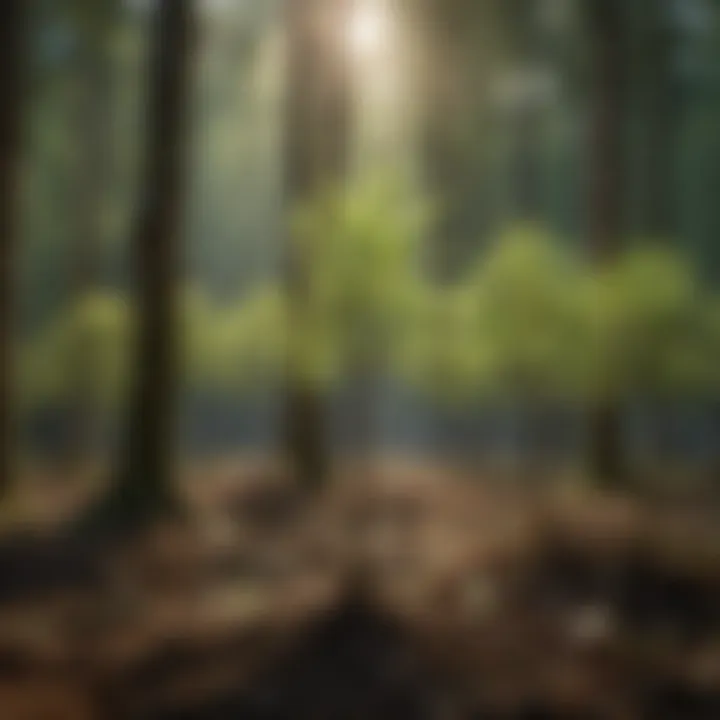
461, 46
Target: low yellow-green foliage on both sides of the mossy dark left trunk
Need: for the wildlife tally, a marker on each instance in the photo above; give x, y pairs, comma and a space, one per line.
223, 348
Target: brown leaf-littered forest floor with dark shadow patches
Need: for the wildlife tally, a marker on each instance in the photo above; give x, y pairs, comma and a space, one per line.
408, 593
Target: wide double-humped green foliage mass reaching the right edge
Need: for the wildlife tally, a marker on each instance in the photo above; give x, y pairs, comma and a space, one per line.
528, 322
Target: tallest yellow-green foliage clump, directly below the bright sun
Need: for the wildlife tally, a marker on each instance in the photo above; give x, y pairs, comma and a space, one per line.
360, 249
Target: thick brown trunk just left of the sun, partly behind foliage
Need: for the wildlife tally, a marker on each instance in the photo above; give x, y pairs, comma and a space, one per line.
319, 93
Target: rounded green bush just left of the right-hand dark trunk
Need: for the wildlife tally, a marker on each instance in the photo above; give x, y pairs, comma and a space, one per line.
515, 326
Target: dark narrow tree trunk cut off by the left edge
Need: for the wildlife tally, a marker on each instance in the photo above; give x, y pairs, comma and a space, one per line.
12, 58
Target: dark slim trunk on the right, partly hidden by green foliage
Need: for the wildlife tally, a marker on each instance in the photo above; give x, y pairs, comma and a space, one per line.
607, 457
